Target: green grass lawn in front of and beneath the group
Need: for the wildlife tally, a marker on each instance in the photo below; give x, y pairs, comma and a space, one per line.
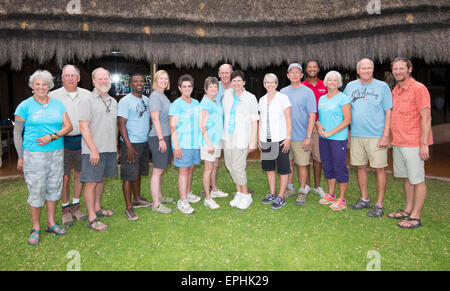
311, 237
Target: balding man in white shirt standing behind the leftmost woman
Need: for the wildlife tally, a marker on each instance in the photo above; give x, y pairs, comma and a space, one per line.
70, 95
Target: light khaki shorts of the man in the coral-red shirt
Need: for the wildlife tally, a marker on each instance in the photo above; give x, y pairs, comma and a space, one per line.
408, 164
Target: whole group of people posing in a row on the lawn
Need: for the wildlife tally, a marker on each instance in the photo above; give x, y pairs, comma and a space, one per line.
90, 131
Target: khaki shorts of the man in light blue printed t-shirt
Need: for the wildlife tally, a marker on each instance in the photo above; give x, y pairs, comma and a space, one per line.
364, 150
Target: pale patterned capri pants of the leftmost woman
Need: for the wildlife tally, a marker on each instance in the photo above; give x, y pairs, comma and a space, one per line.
43, 173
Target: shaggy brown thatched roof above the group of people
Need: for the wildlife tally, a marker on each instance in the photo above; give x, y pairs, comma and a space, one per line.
253, 33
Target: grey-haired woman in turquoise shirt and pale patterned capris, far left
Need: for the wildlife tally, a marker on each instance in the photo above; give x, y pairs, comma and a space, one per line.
43, 122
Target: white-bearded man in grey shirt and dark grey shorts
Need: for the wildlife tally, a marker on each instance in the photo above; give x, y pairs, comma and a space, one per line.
98, 125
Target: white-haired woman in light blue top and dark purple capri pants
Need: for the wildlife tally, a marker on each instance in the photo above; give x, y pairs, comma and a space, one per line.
334, 117
